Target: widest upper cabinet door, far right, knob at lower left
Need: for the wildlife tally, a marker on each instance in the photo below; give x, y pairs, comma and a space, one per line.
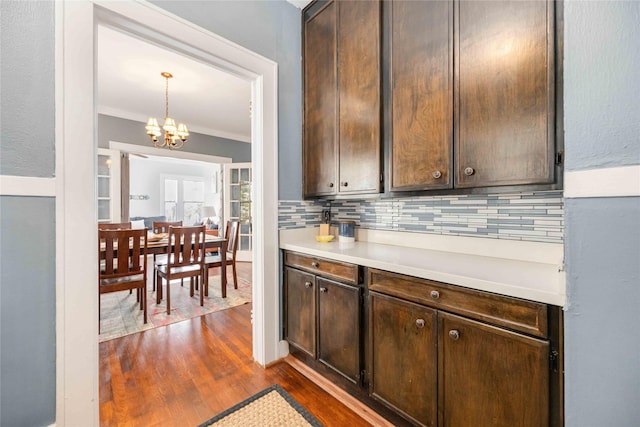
504, 86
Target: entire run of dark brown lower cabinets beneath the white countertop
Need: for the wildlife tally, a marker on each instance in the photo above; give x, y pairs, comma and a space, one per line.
422, 352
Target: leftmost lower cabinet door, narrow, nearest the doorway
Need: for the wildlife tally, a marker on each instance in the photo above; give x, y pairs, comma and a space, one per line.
300, 310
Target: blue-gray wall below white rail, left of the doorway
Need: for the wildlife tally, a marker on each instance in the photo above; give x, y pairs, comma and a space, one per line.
27, 311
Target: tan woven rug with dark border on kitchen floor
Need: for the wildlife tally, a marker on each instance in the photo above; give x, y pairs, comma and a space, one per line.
270, 407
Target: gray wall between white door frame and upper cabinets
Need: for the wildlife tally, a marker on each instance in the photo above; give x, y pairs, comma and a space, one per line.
272, 29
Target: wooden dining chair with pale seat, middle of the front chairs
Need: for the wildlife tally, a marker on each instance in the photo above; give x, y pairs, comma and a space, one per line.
185, 249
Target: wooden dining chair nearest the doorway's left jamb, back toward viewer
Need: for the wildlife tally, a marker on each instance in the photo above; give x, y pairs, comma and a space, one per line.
119, 269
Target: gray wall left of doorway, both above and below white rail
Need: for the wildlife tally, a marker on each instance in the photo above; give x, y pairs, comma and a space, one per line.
27, 266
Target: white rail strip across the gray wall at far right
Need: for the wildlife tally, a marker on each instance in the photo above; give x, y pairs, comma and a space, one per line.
623, 181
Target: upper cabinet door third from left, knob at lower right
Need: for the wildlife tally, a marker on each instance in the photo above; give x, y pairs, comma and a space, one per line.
421, 77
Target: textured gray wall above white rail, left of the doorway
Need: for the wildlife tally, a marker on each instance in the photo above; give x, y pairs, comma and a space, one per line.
27, 104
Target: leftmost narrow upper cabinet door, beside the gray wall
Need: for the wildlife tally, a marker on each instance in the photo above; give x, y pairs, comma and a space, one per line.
320, 104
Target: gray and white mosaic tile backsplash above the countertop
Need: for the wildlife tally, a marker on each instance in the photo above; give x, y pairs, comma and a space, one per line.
534, 216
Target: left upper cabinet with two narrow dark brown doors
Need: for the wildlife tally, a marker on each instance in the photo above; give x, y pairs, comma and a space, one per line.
342, 145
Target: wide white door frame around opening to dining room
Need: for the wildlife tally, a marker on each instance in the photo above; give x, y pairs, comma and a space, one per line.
76, 119
